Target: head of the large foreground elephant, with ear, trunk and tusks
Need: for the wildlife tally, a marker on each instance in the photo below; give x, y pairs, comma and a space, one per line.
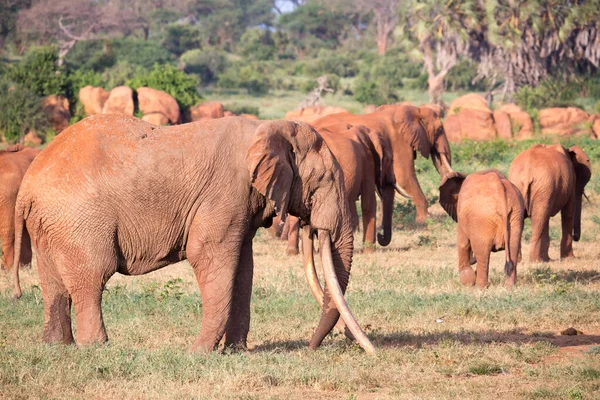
291, 165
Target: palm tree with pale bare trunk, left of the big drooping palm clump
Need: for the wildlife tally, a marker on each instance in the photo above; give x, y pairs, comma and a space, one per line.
440, 31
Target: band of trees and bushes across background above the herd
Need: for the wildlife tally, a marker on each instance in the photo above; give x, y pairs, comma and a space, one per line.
538, 53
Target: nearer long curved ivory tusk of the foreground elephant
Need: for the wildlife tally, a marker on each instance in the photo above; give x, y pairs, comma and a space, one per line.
335, 291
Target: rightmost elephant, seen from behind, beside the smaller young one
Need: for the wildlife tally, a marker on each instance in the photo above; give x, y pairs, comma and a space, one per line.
552, 179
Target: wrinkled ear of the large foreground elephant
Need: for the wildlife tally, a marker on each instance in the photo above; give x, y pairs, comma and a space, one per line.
270, 162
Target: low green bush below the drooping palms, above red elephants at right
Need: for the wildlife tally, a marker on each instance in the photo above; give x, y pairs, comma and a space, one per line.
551, 92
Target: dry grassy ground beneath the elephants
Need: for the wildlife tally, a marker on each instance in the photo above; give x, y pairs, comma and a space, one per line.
435, 338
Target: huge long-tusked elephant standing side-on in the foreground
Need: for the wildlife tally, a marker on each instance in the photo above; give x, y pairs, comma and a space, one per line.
113, 194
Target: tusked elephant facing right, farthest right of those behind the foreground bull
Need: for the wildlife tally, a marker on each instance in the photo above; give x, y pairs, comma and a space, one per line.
409, 130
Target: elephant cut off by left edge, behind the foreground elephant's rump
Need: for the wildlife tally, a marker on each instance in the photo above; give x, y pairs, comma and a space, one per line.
14, 162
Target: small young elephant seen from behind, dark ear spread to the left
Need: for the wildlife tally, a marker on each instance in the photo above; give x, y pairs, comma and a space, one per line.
489, 211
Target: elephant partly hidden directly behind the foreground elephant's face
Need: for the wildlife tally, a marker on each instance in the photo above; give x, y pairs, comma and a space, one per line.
366, 160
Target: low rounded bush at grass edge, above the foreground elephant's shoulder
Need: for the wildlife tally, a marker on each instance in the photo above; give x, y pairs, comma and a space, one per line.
253, 78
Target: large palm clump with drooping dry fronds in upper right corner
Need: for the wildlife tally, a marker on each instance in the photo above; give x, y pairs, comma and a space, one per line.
526, 41
